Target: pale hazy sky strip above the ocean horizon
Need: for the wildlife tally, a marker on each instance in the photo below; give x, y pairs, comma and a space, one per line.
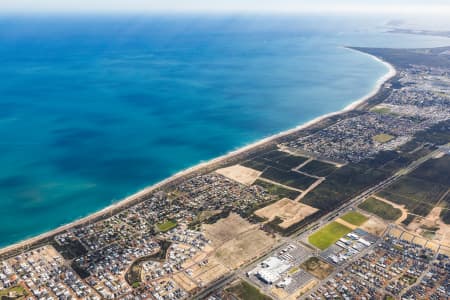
441, 7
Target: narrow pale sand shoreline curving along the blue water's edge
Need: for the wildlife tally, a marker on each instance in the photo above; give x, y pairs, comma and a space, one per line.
128, 200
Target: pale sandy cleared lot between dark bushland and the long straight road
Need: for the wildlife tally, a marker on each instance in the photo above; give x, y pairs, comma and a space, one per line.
289, 211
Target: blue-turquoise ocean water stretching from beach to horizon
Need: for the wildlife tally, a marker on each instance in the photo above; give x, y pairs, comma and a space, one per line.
94, 108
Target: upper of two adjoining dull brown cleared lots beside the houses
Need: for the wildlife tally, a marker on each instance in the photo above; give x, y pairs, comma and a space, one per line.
226, 229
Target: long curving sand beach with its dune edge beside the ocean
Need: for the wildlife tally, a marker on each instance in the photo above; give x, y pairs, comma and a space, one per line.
140, 196
